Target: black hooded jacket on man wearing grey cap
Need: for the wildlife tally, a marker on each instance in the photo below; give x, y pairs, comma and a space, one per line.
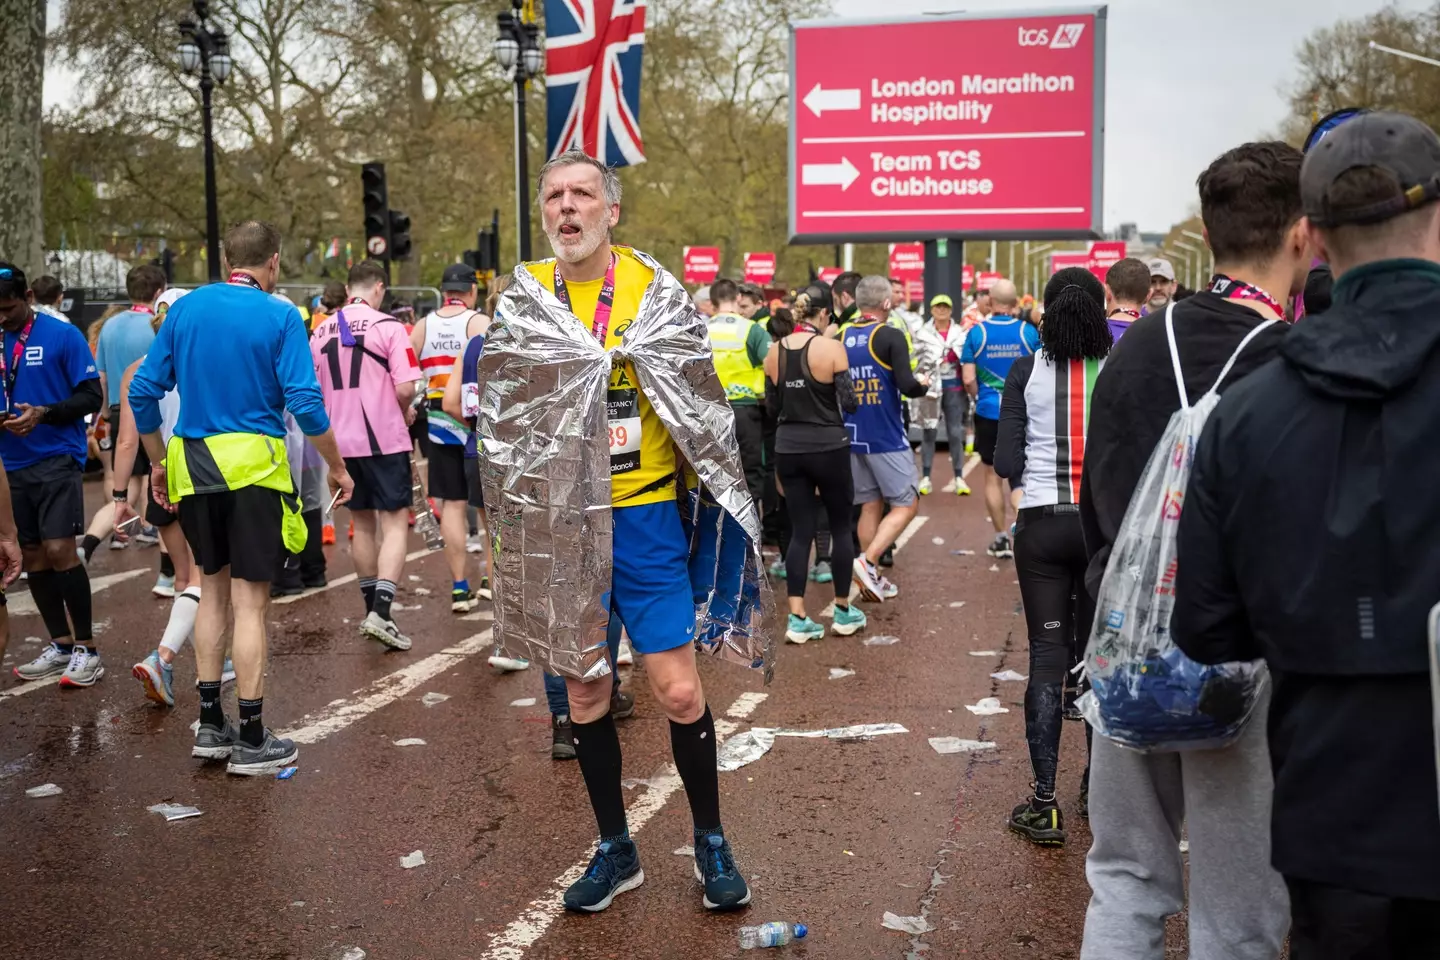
1311, 538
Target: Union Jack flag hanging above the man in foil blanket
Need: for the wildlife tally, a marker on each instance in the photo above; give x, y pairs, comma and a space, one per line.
593, 78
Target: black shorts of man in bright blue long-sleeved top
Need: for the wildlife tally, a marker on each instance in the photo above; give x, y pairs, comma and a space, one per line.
238, 529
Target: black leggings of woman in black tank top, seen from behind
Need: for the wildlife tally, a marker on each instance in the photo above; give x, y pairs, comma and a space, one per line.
801, 474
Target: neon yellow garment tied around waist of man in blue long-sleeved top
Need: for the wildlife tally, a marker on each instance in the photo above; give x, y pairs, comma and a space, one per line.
233, 461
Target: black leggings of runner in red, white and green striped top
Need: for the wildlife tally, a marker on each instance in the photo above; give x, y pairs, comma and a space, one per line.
1050, 561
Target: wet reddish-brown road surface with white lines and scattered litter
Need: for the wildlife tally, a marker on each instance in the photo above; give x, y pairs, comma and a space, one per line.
832, 834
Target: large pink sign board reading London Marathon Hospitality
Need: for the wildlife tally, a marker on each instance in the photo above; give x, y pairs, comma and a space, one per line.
1004, 142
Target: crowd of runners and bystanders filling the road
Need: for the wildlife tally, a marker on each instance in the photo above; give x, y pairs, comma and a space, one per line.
1305, 542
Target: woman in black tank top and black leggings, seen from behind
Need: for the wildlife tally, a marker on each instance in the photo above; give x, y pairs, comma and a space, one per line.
807, 388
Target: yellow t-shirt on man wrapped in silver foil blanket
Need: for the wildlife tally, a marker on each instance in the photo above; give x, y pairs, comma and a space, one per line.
643, 468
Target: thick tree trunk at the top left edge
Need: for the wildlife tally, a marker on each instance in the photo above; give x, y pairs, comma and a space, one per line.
22, 74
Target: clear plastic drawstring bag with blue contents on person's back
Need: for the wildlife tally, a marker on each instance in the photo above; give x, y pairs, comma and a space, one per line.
1146, 693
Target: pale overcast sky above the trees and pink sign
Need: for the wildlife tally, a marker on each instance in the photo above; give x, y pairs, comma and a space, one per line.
1186, 81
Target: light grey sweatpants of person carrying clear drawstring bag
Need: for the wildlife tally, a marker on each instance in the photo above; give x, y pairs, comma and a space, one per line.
1239, 907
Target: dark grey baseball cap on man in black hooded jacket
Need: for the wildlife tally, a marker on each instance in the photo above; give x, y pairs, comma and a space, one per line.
1402, 146
